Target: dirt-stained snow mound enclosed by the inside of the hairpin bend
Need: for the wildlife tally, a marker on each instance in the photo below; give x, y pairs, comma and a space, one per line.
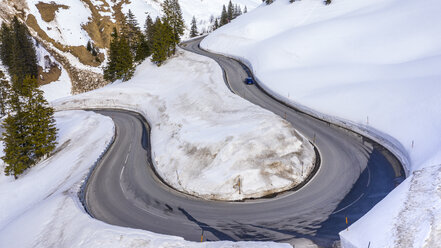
200, 146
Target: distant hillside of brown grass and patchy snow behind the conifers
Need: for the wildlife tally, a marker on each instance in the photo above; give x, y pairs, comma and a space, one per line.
63, 28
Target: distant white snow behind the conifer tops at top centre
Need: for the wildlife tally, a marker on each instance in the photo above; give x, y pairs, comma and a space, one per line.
201, 9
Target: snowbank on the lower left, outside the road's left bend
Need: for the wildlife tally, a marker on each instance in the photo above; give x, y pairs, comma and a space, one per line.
42, 209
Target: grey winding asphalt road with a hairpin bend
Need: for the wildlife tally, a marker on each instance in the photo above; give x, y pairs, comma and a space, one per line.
353, 176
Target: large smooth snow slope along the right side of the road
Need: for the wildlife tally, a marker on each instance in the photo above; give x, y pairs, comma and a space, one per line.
374, 65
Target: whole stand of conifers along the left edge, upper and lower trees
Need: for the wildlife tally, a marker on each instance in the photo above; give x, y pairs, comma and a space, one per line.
29, 127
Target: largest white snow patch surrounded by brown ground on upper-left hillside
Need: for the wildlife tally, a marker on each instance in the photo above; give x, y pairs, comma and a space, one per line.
63, 29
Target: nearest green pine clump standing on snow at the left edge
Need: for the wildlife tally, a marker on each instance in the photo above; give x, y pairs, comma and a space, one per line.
30, 132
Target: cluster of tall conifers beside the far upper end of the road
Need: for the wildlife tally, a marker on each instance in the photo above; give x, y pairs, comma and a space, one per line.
129, 45
